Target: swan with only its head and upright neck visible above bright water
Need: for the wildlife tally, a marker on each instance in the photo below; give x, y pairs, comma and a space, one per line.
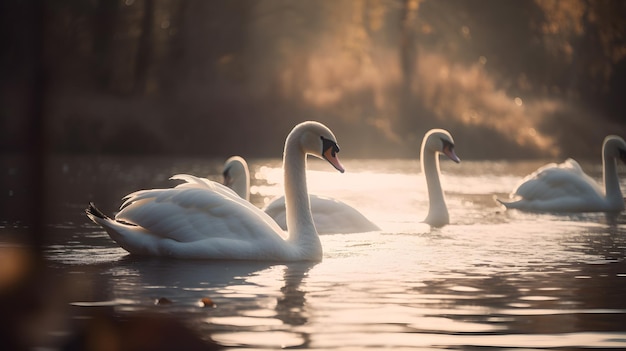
436, 141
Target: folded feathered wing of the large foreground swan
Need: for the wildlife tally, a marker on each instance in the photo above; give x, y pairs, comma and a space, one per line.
197, 210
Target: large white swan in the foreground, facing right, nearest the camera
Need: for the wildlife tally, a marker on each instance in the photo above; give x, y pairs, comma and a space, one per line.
201, 219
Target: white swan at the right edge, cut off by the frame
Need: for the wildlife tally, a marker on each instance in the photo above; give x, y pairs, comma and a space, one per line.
566, 188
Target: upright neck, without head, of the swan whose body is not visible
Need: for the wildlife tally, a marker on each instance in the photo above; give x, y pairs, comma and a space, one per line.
437, 209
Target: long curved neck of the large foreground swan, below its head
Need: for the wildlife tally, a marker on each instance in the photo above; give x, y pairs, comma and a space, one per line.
300, 224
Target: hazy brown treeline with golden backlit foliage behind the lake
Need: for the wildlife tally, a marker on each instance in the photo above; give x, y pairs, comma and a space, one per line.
507, 78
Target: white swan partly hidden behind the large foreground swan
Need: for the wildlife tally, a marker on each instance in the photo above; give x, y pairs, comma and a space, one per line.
329, 215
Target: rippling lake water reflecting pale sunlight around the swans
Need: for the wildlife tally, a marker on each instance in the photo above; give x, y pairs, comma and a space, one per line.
492, 278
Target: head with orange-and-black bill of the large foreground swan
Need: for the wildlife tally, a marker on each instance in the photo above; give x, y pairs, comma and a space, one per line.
318, 140
